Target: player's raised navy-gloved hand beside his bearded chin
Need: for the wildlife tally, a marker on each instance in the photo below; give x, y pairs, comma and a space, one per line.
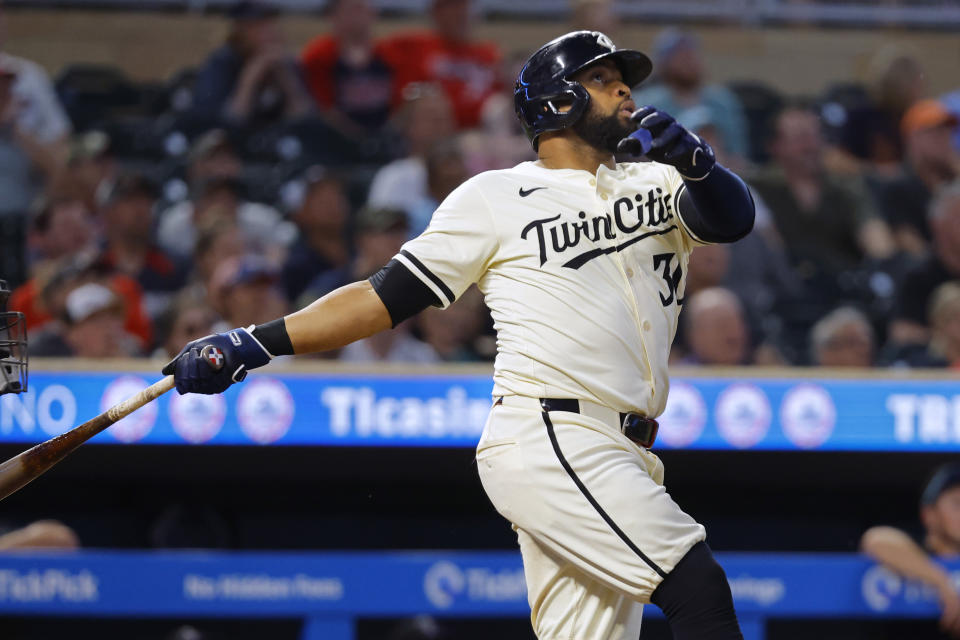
664, 140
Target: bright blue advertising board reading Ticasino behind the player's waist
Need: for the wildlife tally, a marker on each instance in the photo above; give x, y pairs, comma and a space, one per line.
331, 408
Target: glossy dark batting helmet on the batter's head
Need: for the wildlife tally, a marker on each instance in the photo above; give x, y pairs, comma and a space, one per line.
544, 84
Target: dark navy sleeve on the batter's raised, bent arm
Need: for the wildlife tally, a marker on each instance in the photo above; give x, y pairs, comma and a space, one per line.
718, 208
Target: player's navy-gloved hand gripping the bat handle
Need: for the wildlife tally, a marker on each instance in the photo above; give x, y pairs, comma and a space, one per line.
211, 364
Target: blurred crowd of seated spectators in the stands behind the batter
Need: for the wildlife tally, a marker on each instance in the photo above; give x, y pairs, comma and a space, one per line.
267, 177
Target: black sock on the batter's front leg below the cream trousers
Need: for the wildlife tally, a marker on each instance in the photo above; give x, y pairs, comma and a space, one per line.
696, 598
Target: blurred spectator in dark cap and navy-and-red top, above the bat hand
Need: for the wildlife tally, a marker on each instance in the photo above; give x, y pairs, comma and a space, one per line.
127, 217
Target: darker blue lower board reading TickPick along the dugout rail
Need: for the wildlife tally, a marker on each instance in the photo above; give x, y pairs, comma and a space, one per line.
464, 584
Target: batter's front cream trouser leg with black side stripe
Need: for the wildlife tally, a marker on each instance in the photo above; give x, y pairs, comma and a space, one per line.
586, 496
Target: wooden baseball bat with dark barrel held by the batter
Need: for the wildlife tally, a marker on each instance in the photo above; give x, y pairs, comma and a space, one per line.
27, 466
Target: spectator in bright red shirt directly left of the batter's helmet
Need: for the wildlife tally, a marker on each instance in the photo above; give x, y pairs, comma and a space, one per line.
465, 68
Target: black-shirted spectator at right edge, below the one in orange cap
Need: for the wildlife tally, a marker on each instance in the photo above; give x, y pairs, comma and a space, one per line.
910, 325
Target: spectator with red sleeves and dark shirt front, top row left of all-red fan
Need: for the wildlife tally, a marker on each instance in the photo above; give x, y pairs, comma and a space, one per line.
349, 79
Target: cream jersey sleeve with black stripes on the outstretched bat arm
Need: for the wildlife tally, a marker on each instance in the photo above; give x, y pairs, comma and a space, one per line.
457, 246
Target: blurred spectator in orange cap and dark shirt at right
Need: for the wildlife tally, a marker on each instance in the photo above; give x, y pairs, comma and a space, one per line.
930, 162
